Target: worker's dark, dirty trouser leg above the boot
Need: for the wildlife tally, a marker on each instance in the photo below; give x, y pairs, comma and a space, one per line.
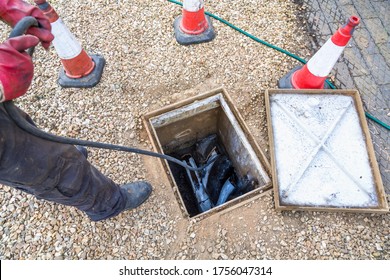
55, 172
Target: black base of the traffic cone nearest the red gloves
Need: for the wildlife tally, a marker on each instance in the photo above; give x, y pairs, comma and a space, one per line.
88, 81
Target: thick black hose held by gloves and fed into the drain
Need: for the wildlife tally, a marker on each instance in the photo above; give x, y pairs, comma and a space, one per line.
19, 29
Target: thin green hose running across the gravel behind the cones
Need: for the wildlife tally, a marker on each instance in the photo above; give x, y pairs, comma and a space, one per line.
371, 117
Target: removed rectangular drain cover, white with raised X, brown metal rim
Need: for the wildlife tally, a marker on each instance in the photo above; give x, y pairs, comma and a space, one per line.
322, 155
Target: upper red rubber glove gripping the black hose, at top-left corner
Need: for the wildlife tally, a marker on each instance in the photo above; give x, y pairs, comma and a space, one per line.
11, 11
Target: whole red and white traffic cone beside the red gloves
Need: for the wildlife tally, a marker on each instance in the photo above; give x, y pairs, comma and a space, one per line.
80, 70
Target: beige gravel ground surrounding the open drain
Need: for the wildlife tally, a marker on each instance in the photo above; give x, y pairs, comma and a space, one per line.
146, 70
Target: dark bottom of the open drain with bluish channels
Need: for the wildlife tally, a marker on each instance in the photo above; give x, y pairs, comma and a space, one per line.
222, 183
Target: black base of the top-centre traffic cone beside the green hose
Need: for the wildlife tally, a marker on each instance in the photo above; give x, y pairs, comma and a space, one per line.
182, 38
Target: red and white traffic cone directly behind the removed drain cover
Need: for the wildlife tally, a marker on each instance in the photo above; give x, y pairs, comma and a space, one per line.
314, 73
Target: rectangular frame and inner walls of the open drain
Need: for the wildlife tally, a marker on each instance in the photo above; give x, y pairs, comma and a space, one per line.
195, 117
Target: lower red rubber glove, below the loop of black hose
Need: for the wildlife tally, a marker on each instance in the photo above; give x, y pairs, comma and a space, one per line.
16, 68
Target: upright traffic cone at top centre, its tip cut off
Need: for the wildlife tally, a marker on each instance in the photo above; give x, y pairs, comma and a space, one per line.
193, 26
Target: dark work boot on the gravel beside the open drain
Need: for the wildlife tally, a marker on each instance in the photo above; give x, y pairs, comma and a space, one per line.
136, 193
